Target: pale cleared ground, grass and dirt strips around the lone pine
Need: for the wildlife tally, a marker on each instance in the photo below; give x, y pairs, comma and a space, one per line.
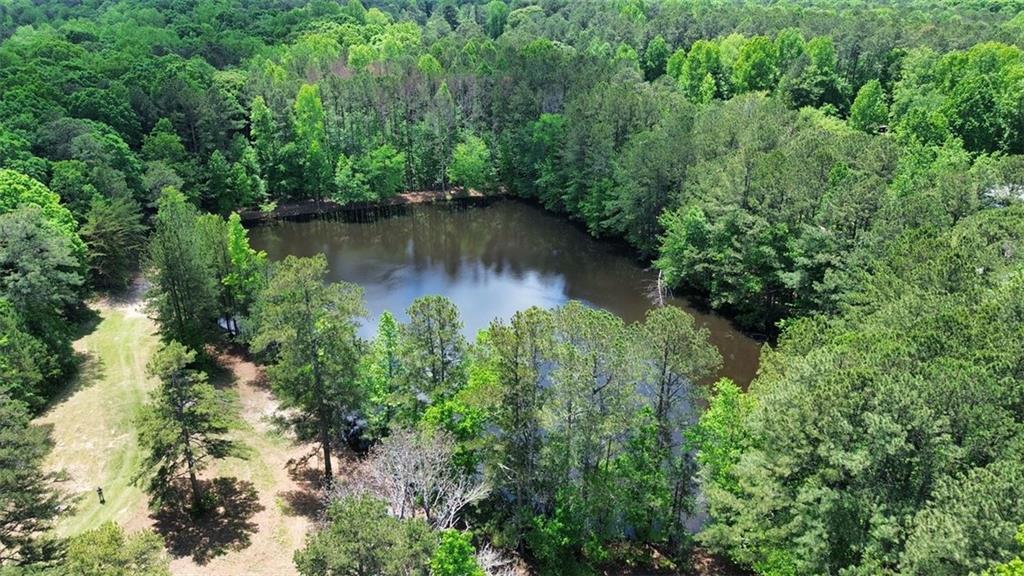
269, 500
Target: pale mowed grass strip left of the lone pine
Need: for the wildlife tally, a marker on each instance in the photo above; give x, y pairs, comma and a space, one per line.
95, 439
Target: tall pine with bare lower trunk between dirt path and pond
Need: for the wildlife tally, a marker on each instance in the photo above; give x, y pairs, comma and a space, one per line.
310, 331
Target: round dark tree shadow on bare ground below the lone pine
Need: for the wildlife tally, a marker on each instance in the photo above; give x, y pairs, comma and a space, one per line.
227, 527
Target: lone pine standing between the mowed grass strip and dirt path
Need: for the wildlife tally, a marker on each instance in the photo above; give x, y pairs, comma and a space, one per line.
185, 427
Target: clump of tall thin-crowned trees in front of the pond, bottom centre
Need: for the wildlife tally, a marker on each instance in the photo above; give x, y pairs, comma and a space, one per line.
568, 406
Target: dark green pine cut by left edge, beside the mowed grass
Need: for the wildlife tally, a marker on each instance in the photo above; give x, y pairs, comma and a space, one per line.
29, 503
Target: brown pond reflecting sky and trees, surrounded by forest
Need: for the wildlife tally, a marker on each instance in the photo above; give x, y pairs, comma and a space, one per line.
491, 260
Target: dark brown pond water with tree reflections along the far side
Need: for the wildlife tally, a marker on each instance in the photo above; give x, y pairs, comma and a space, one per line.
506, 238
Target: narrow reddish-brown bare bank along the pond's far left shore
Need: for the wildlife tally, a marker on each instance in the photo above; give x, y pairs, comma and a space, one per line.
306, 209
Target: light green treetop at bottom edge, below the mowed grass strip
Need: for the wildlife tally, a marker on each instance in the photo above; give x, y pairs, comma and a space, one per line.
109, 552
